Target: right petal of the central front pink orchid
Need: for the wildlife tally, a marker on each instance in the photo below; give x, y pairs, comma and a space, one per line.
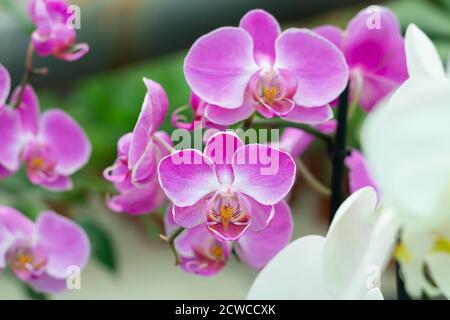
263, 173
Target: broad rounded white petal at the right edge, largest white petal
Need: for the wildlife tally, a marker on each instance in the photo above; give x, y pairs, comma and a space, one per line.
407, 145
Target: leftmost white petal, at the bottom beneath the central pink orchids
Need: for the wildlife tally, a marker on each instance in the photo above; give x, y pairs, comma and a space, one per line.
295, 273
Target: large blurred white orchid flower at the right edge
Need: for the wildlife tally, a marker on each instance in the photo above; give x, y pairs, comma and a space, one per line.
406, 141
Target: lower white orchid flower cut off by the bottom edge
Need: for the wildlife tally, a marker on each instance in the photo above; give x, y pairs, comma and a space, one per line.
346, 264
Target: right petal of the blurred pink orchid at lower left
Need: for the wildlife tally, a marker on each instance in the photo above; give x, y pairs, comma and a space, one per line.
65, 243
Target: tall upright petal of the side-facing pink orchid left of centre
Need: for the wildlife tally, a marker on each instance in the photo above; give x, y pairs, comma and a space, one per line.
153, 112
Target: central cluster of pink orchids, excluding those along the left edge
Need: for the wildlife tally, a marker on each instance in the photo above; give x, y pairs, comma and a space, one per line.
223, 199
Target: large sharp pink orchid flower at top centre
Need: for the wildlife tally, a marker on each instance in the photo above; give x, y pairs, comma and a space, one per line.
237, 70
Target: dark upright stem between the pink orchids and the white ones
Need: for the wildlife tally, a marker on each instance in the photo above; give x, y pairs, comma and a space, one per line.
339, 154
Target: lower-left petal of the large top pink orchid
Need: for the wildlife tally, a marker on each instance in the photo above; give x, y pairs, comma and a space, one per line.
228, 117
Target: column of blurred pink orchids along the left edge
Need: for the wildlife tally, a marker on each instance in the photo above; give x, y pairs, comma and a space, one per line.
52, 146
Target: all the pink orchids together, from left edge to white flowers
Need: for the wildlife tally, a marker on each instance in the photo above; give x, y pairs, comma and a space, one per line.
228, 198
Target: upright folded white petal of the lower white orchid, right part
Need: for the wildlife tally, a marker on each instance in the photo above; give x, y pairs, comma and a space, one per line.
357, 241
